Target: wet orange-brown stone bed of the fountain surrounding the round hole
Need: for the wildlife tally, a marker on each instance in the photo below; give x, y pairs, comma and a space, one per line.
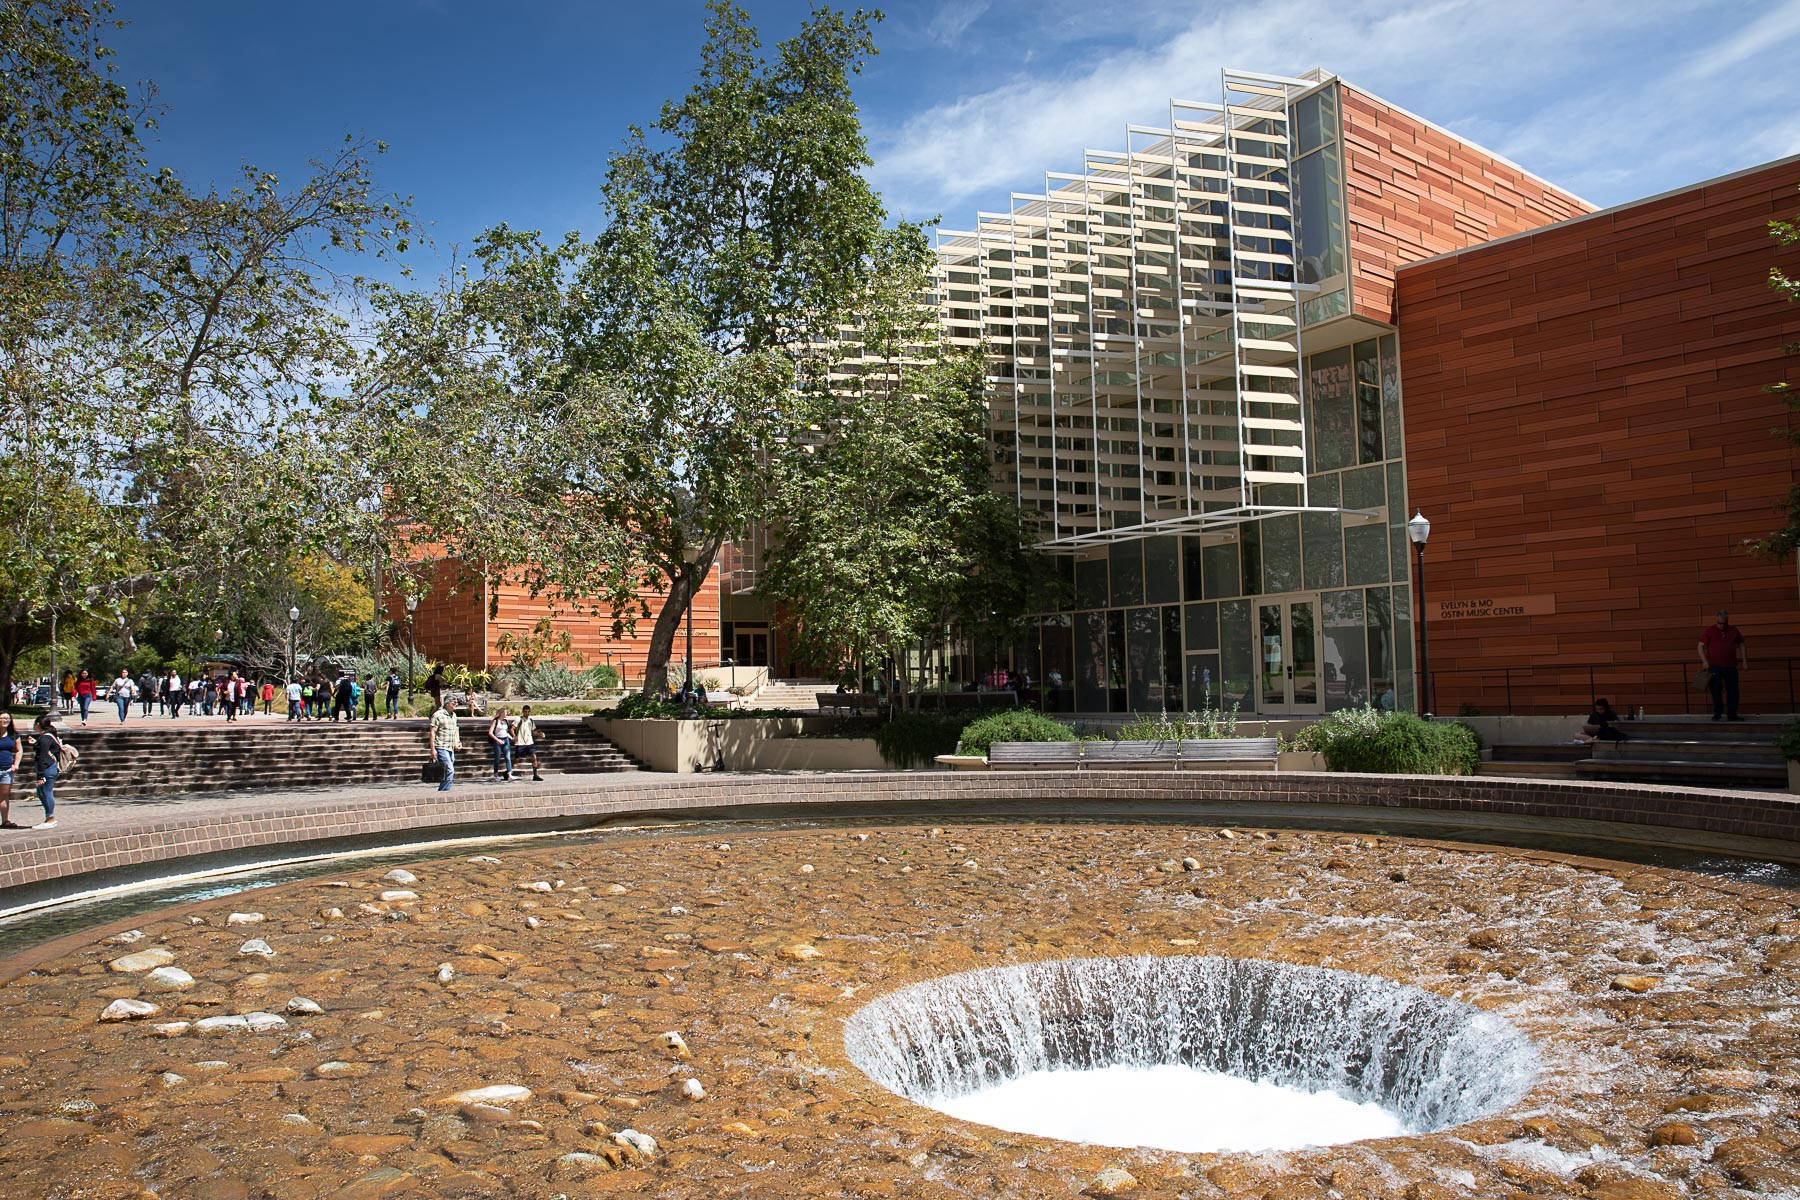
667, 1019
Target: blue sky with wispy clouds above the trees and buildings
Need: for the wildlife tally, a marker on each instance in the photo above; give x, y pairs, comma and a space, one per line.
507, 112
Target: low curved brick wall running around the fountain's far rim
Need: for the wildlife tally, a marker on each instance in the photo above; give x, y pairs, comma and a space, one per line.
100, 839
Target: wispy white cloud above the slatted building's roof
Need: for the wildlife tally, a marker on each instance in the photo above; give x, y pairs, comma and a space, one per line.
1608, 98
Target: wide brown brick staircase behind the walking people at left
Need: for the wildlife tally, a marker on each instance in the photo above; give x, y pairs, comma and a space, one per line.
145, 760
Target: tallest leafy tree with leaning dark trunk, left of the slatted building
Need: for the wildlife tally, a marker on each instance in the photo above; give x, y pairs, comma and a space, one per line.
739, 229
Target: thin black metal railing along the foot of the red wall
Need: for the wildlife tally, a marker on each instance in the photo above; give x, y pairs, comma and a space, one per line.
1662, 688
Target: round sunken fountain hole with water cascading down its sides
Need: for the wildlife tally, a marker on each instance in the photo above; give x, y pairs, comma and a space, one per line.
1191, 1053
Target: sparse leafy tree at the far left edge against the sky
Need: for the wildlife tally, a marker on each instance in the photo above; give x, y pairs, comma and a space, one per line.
161, 352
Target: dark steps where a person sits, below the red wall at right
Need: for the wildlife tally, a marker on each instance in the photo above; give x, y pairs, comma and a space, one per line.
1675, 751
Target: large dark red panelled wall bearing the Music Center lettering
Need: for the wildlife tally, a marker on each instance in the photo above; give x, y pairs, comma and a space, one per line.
1587, 420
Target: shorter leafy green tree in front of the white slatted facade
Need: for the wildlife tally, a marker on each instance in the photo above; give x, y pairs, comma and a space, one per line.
888, 528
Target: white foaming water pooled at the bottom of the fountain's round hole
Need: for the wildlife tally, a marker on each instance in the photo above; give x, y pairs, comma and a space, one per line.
1171, 1107
